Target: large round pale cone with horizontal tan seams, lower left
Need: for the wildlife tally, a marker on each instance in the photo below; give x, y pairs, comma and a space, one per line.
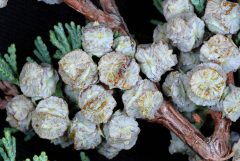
50, 119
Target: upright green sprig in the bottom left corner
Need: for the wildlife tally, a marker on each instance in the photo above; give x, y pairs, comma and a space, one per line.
8, 146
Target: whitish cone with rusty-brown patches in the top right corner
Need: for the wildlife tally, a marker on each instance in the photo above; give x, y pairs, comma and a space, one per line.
222, 16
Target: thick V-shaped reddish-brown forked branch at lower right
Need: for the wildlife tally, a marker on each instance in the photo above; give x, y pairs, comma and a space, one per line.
215, 148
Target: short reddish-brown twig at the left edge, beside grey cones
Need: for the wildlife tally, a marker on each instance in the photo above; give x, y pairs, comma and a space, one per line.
9, 92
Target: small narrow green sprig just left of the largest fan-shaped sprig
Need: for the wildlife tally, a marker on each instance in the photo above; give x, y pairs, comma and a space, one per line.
41, 51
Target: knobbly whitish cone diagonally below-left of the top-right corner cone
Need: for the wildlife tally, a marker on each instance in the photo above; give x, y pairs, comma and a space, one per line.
185, 31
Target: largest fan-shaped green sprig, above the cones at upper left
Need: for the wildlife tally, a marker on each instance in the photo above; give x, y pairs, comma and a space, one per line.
65, 43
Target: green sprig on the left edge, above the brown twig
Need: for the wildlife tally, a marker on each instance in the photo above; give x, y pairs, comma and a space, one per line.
8, 66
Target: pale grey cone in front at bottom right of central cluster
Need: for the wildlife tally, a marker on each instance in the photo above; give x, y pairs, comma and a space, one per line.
121, 131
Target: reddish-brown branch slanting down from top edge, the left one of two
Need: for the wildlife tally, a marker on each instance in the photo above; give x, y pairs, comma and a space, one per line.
91, 12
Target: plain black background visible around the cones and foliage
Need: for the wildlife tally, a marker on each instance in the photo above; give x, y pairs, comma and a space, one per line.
22, 20
